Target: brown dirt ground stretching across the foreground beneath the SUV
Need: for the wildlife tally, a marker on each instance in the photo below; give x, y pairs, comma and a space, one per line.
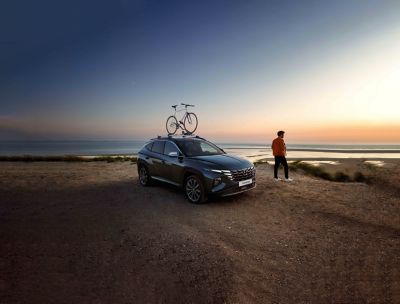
89, 233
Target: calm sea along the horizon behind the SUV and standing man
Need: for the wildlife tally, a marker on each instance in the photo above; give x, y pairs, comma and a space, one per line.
252, 151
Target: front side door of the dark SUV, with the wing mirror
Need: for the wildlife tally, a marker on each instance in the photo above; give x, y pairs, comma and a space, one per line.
172, 169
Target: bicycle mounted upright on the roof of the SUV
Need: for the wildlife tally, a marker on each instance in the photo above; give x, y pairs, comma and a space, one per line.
187, 123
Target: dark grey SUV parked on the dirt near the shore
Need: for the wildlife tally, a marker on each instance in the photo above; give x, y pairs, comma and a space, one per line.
195, 164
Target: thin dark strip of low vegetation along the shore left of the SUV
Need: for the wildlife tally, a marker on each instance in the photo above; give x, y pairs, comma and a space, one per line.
67, 158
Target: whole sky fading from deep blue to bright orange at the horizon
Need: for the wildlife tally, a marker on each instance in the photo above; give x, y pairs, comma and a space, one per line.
323, 71
